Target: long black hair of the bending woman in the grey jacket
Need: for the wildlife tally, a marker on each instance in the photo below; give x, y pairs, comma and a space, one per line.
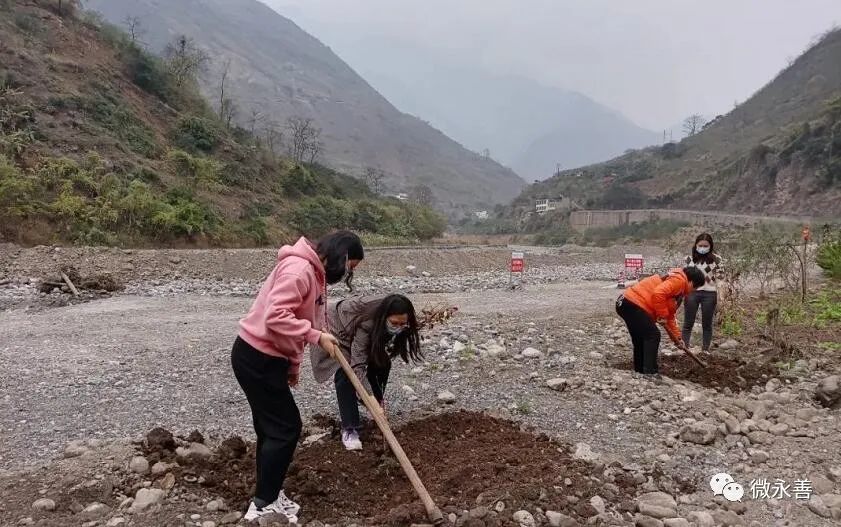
407, 344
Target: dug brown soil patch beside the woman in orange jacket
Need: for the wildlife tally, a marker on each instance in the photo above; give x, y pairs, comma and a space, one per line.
721, 372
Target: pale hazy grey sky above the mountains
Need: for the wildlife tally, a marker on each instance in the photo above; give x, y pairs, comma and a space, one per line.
654, 60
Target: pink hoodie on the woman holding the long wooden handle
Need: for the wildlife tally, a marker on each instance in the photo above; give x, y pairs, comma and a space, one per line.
289, 307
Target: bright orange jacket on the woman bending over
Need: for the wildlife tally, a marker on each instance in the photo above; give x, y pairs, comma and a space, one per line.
658, 296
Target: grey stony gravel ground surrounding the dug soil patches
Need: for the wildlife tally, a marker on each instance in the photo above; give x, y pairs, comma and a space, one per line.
115, 368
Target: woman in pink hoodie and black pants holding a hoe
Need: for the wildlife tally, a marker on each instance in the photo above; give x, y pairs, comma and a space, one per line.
288, 314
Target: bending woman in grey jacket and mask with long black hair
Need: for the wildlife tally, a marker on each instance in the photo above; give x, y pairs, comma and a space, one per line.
371, 332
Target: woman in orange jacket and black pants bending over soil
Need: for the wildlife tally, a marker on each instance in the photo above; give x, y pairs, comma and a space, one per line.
656, 299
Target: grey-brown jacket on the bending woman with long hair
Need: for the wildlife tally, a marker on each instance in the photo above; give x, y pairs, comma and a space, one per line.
350, 321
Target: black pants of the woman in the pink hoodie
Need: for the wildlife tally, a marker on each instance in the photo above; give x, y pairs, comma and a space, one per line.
277, 422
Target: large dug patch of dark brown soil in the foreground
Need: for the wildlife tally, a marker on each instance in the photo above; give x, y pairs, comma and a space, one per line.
465, 460
